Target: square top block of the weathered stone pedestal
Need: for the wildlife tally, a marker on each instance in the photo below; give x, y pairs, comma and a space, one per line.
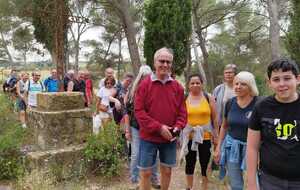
60, 101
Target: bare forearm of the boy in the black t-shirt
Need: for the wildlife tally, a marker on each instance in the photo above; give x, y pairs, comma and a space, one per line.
253, 142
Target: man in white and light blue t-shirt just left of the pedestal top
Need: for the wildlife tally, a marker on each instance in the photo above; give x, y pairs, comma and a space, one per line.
33, 87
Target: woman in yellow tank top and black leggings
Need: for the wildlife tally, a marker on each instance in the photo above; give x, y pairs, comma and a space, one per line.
198, 133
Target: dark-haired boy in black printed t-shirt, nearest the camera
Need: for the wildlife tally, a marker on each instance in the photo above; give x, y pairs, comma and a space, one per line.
274, 132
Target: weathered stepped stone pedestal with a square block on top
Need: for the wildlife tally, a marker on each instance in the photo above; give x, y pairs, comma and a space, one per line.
59, 126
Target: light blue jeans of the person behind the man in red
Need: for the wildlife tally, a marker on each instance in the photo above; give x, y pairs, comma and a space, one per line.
134, 170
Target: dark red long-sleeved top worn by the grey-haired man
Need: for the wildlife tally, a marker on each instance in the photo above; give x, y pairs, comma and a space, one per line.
157, 103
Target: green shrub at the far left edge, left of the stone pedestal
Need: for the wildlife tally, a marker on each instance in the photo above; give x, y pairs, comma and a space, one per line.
11, 137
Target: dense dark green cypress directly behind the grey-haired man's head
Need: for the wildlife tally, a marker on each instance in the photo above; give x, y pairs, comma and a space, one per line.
168, 24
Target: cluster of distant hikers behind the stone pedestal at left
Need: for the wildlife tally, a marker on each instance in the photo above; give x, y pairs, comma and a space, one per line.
23, 88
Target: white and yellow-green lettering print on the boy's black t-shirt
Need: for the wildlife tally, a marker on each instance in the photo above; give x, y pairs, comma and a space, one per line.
286, 131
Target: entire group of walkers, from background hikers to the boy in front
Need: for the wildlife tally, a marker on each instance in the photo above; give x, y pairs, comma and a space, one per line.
233, 127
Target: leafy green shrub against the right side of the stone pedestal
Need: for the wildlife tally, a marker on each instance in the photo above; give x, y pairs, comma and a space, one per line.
104, 151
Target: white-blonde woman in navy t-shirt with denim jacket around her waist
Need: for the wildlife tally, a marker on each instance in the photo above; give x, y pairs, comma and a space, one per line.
230, 152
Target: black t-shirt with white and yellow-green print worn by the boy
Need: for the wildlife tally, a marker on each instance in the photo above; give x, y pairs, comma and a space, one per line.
280, 146
